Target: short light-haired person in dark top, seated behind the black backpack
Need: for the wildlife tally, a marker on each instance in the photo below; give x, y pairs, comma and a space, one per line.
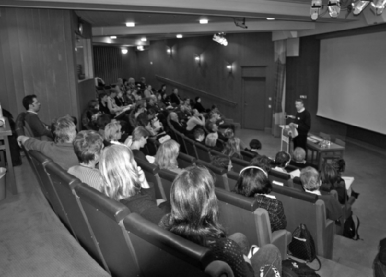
311, 182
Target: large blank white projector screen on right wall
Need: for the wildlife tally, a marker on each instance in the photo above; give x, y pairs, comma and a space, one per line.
352, 81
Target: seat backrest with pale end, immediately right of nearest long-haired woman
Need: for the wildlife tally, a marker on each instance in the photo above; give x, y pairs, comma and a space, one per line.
242, 214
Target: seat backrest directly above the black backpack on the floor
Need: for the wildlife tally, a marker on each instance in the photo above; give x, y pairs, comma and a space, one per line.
302, 207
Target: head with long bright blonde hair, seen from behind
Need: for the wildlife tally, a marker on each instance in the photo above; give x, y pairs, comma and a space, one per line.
119, 172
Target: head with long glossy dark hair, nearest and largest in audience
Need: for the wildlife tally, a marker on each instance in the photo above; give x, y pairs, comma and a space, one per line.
194, 208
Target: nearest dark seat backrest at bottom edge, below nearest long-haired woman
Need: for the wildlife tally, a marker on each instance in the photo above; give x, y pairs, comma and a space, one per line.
161, 253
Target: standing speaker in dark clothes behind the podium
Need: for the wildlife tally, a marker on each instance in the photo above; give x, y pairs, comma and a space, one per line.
302, 122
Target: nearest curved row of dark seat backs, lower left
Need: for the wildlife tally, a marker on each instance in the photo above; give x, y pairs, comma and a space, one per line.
123, 243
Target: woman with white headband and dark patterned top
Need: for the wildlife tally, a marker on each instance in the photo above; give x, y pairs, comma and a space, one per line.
253, 182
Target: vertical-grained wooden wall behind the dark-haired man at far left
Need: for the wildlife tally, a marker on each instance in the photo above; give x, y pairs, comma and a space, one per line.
37, 58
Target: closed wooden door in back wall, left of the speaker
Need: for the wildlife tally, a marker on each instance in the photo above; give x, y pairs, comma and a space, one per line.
253, 108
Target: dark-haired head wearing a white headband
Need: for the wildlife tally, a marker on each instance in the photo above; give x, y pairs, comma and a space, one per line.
253, 180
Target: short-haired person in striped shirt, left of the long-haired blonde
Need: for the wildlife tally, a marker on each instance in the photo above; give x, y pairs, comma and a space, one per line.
88, 146
